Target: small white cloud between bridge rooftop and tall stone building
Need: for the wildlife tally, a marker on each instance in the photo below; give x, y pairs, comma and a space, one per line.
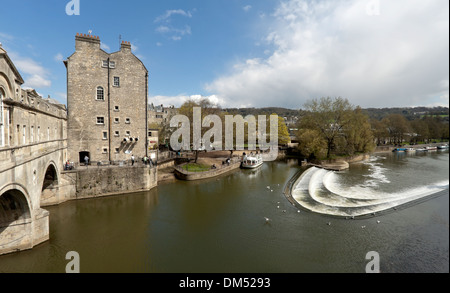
35, 75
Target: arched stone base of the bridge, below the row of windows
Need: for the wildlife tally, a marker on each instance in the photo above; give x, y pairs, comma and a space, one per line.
30, 178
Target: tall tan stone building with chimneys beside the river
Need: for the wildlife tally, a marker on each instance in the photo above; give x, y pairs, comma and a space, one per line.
107, 98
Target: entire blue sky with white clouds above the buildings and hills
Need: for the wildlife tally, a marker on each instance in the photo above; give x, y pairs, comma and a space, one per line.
248, 53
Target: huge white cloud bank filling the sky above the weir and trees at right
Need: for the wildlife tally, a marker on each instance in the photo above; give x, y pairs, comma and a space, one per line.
334, 48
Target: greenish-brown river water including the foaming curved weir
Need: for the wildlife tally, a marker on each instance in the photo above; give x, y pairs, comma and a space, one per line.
219, 226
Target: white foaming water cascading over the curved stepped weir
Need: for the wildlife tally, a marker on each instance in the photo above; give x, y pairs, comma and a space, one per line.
322, 192
